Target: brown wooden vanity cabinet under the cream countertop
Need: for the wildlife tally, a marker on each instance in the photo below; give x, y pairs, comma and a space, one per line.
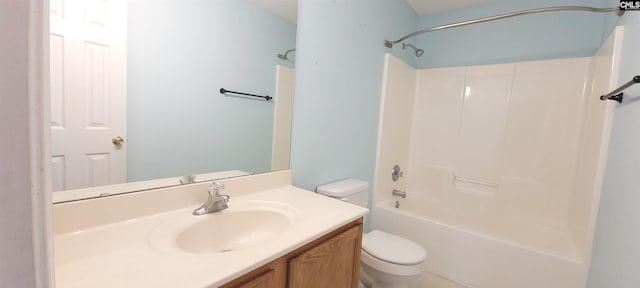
331, 261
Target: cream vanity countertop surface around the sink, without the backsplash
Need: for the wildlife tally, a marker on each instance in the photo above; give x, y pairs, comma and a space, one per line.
122, 254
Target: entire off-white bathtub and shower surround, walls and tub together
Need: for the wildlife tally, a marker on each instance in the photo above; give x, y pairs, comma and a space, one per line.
504, 167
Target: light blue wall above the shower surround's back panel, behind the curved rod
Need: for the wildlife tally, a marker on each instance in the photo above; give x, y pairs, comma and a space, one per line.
530, 37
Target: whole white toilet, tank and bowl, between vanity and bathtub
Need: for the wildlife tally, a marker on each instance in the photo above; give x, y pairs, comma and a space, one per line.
388, 261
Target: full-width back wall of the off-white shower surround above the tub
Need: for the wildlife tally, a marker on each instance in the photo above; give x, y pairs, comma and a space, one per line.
511, 129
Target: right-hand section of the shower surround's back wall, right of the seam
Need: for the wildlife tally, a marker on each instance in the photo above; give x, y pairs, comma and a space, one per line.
542, 139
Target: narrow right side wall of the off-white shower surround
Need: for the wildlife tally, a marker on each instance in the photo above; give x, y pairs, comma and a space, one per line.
596, 127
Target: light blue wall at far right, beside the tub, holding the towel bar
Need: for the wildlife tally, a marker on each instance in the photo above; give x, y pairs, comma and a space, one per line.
616, 252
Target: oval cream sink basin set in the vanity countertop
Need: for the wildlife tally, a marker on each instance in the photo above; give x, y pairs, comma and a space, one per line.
232, 231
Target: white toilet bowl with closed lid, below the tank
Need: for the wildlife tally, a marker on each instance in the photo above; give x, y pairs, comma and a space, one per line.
390, 261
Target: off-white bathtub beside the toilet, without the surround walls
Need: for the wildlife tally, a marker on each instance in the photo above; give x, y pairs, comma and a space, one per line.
481, 252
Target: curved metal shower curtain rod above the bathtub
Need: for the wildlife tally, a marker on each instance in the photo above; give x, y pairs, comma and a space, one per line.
389, 44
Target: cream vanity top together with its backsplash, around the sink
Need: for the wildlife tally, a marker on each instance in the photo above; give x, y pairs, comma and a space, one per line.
127, 240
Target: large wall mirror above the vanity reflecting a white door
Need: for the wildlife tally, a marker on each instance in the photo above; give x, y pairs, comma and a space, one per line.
142, 91
